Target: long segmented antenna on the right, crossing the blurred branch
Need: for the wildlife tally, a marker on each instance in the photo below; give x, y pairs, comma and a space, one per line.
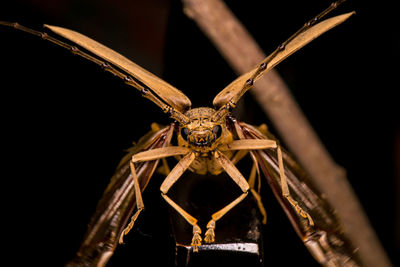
231, 103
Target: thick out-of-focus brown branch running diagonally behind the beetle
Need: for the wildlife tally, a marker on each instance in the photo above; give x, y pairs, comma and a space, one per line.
242, 53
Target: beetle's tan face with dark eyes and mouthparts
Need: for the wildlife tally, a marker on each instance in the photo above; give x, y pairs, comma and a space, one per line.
201, 134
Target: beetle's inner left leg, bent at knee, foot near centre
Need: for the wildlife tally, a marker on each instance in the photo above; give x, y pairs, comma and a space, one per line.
169, 181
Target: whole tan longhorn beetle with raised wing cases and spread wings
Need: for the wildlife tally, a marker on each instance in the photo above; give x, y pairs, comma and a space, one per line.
209, 140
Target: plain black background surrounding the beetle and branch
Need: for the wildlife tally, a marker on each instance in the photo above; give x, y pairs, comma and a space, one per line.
66, 123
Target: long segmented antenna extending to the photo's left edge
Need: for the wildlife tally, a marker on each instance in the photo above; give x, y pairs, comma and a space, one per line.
129, 80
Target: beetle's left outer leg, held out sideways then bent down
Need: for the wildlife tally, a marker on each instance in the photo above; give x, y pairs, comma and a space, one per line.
147, 156
